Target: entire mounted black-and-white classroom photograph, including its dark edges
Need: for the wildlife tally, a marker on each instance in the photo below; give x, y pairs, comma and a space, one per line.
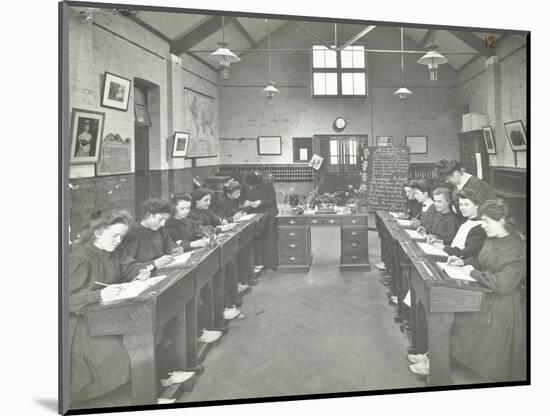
244, 241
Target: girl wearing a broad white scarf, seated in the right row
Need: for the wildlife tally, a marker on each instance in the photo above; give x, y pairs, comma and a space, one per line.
470, 235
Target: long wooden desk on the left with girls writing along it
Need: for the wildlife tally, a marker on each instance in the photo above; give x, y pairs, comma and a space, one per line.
142, 320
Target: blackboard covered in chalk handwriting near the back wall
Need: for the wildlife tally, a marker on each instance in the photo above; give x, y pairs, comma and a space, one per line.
387, 169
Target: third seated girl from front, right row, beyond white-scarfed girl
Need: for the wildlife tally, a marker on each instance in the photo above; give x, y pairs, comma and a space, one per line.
444, 225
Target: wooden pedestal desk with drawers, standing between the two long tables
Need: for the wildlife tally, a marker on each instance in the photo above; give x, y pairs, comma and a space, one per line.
295, 240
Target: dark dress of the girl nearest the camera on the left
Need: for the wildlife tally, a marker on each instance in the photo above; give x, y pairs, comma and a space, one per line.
98, 364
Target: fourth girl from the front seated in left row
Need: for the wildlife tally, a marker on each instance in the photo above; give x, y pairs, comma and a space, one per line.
201, 215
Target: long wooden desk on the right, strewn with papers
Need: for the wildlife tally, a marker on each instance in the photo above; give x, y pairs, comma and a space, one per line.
434, 297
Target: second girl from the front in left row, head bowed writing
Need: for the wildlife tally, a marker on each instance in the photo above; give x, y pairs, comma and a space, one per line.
149, 241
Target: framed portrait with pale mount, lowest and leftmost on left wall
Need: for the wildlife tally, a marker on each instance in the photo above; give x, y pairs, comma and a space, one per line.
86, 133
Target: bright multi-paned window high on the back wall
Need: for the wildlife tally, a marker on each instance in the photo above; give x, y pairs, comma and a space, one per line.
339, 73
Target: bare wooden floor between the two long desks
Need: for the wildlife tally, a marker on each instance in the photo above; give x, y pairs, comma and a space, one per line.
320, 332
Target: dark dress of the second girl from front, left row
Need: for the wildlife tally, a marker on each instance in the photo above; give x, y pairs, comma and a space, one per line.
146, 245
